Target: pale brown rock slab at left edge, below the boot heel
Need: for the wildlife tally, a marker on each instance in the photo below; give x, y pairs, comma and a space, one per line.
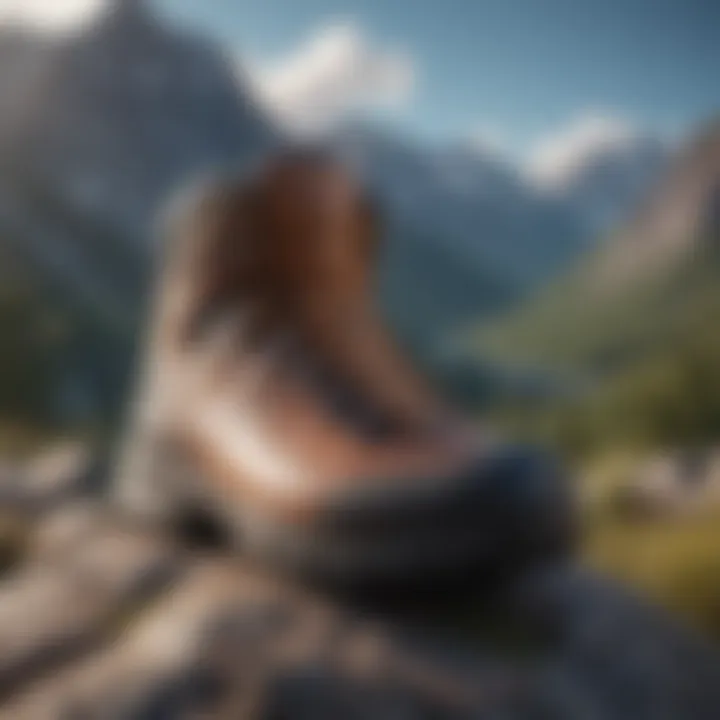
54, 608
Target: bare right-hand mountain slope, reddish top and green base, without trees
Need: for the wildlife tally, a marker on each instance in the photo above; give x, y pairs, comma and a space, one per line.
651, 285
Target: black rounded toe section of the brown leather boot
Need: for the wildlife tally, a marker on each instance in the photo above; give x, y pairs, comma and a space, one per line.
507, 510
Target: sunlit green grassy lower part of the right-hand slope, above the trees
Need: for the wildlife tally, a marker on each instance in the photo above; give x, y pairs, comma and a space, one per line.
582, 324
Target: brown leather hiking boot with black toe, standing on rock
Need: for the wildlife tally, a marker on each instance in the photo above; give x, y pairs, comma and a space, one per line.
273, 397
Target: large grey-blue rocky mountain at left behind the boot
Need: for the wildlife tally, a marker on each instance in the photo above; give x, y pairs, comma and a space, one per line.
98, 129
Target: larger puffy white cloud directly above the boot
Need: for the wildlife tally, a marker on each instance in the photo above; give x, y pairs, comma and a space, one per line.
335, 72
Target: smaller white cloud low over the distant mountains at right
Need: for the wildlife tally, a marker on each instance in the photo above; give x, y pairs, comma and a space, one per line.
555, 158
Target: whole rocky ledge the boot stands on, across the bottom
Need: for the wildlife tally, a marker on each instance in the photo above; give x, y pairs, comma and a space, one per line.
100, 619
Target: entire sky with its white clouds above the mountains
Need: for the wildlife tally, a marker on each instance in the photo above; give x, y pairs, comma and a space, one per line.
530, 78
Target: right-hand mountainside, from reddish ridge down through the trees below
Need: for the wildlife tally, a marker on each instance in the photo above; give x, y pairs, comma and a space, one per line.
627, 343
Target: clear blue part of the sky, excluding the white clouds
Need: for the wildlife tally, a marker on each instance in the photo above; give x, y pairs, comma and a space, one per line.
513, 69
